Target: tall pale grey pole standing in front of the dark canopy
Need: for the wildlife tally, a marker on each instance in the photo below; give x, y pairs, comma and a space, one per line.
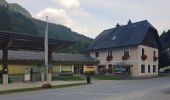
46, 48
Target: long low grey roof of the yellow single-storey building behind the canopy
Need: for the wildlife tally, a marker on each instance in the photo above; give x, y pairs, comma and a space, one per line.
56, 57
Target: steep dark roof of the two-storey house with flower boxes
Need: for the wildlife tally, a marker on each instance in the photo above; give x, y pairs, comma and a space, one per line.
121, 36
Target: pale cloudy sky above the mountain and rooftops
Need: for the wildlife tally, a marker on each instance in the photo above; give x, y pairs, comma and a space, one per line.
90, 17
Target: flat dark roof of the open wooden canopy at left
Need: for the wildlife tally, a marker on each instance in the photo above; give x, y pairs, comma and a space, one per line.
15, 41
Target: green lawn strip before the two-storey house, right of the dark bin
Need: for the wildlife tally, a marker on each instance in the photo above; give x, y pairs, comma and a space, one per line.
106, 77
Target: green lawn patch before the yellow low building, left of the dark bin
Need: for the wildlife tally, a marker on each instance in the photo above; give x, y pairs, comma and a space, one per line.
68, 78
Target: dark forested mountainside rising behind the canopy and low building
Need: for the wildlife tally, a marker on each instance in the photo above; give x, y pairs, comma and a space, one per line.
11, 20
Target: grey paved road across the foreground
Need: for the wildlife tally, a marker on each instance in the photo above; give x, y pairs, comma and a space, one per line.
149, 89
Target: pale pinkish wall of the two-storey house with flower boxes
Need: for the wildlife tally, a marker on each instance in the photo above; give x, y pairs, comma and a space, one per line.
135, 58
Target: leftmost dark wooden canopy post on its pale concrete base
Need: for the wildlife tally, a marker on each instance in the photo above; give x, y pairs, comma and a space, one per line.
5, 65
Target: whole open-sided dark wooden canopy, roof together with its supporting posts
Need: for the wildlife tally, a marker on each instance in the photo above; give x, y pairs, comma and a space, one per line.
16, 41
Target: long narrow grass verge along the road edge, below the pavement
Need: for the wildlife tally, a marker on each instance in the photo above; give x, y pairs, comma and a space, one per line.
40, 88
